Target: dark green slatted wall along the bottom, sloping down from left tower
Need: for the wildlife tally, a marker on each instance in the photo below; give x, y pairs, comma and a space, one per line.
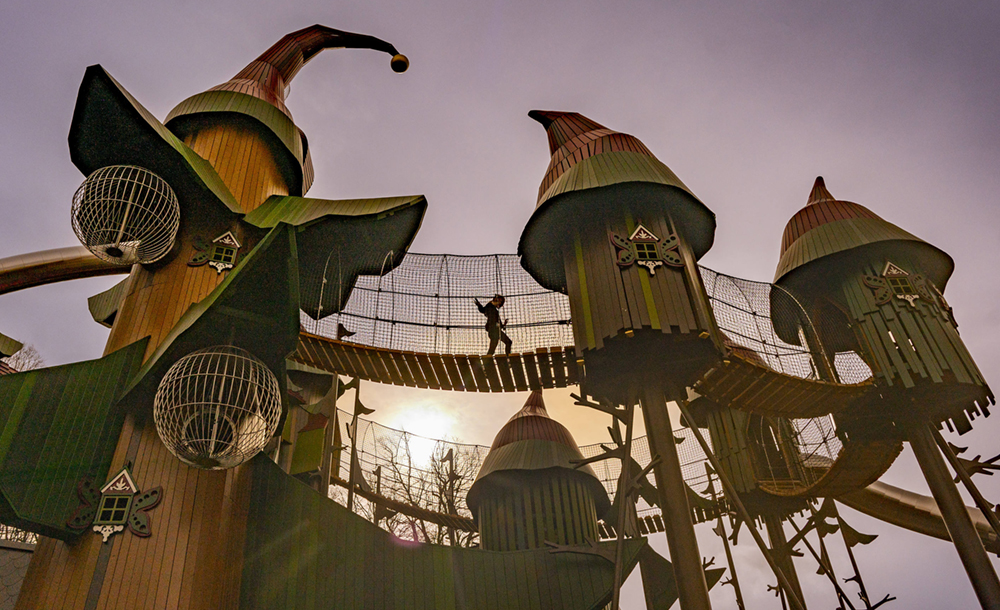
307, 552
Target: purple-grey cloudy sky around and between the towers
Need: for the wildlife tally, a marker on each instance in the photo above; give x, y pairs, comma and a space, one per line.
894, 103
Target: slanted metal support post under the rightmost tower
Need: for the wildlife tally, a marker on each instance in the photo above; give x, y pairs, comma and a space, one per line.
956, 518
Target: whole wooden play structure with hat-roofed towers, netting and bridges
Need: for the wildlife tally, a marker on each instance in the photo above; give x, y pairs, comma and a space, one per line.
213, 457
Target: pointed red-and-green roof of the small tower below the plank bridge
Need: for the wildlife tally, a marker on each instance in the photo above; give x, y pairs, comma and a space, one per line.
533, 441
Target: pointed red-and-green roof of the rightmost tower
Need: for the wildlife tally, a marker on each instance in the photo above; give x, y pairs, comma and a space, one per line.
828, 226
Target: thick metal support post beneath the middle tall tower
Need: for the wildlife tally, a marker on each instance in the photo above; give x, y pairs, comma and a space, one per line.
692, 588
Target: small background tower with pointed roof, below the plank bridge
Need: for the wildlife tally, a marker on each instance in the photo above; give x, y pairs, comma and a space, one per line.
528, 491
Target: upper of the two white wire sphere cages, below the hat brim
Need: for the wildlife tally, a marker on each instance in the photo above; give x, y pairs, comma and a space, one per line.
126, 214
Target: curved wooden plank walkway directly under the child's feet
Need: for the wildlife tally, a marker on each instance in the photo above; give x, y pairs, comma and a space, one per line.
554, 367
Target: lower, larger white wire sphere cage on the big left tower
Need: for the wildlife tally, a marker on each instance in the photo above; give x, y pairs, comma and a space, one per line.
217, 407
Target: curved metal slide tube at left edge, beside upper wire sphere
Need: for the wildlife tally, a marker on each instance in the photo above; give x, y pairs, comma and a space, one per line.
50, 266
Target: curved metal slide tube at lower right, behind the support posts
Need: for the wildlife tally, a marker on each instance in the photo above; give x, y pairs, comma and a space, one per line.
913, 511
